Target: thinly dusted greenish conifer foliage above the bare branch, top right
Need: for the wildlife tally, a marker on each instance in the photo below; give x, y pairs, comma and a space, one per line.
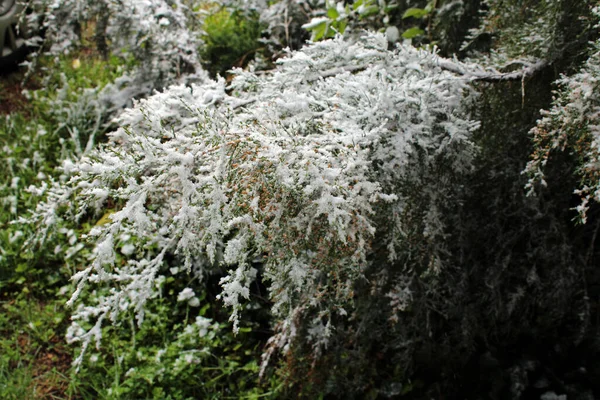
512, 34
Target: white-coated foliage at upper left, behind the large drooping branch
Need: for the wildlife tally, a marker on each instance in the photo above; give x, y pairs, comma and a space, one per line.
155, 34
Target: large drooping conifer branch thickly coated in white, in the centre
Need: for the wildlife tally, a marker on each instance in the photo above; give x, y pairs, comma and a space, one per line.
298, 176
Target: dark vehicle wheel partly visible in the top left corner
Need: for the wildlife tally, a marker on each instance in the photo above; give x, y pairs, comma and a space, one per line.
13, 47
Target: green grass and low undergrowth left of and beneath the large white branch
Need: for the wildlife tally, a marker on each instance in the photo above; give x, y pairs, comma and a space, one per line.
53, 119
